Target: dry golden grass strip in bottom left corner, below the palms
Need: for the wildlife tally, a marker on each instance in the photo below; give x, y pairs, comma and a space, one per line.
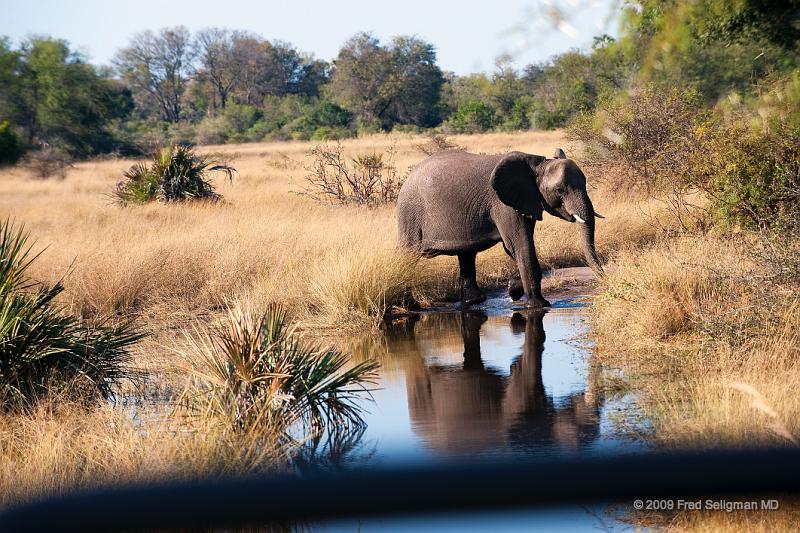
60, 447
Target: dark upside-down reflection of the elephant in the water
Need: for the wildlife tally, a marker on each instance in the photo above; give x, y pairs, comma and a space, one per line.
471, 408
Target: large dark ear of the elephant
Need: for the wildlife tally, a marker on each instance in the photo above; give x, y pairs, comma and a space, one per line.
514, 182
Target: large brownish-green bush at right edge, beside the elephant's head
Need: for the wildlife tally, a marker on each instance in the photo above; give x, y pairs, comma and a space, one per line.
667, 141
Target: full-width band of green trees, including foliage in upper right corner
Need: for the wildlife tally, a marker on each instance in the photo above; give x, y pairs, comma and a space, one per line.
220, 86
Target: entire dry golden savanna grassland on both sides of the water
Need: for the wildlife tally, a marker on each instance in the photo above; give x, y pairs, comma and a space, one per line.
710, 343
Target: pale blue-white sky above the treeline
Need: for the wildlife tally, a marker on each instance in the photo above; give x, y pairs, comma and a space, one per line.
468, 35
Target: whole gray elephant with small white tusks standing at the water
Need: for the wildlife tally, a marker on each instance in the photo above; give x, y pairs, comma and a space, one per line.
457, 203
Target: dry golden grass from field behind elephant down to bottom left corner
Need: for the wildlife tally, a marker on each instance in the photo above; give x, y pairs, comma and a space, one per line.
167, 265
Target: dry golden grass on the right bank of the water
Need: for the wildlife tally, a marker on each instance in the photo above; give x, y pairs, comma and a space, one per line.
710, 340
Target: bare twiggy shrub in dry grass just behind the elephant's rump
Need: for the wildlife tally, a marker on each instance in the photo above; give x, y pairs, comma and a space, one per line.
369, 179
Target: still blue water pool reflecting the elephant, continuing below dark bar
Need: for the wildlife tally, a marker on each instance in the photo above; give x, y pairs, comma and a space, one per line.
489, 383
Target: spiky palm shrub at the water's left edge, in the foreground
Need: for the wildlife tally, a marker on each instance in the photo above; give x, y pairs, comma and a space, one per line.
255, 371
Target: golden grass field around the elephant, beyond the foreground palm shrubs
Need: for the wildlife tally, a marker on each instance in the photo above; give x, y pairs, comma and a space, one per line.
327, 264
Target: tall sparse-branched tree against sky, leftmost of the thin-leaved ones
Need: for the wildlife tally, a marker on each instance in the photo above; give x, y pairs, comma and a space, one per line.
157, 67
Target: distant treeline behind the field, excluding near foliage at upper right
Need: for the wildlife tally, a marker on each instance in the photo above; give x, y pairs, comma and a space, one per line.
219, 86
